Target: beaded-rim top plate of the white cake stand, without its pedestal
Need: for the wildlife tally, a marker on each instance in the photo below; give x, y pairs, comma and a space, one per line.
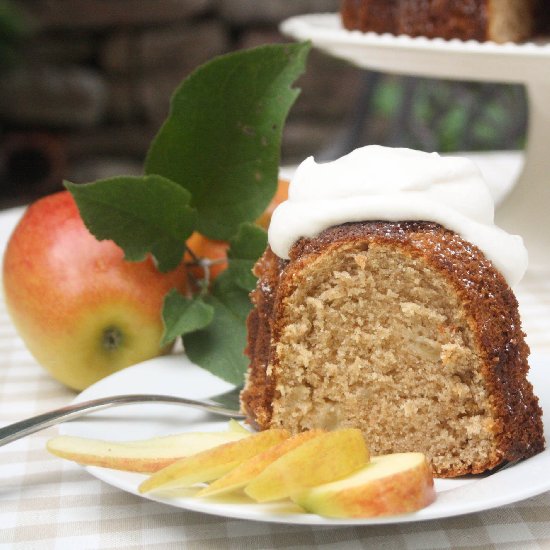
434, 57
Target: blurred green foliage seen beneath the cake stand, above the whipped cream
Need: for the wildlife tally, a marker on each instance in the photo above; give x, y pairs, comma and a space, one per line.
447, 116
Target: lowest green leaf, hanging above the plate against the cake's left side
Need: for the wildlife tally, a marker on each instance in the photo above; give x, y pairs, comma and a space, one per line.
219, 348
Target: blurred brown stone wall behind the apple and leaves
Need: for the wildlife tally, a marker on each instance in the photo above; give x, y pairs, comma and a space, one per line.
95, 79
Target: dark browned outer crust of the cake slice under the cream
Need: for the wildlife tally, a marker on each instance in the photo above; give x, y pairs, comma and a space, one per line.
489, 303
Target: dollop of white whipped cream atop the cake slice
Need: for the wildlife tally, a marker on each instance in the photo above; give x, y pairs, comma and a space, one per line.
392, 184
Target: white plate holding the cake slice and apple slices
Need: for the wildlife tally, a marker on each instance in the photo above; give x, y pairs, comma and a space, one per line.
176, 375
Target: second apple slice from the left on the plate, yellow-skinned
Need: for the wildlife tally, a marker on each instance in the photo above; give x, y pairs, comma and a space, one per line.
213, 463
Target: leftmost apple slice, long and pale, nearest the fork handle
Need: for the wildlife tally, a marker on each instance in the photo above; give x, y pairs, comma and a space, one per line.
145, 456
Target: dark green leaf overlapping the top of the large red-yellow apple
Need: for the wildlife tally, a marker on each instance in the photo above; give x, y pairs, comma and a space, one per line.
148, 214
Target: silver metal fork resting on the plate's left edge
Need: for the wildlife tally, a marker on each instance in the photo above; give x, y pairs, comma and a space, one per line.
225, 404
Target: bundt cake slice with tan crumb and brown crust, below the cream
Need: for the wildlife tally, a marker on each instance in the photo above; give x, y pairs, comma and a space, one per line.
402, 329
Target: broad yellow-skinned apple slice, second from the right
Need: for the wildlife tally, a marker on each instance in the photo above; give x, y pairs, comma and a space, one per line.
329, 456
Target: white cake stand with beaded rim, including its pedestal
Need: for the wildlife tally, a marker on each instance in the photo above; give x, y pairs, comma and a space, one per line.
526, 210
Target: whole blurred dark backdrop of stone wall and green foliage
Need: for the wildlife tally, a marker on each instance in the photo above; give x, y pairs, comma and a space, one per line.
85, 85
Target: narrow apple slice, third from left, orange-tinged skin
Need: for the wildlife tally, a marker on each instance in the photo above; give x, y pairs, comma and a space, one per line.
247, 471
